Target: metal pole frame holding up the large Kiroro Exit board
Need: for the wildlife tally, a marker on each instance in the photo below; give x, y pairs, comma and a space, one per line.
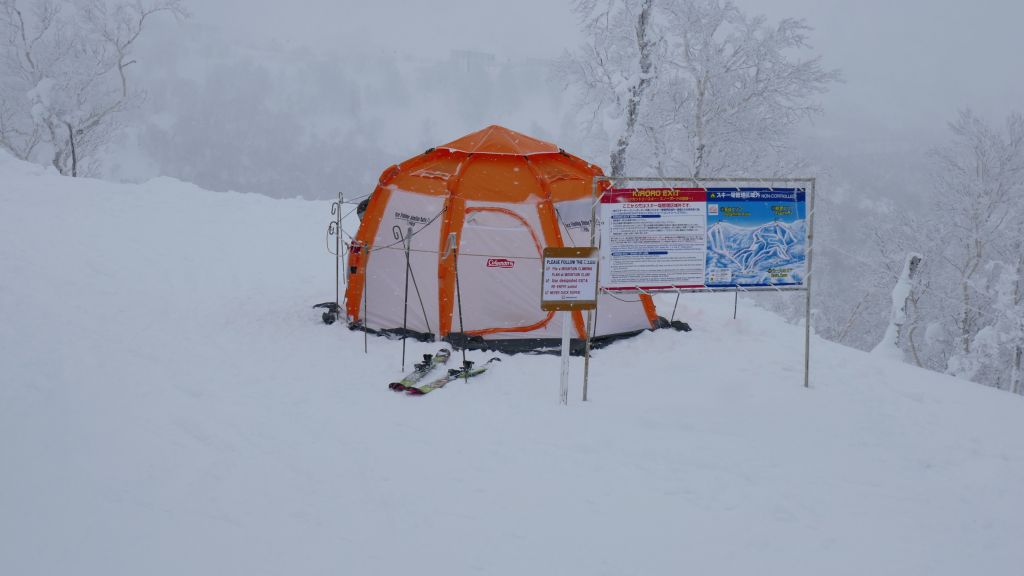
809, 189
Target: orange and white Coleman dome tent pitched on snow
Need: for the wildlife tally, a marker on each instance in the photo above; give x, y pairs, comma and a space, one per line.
505, 197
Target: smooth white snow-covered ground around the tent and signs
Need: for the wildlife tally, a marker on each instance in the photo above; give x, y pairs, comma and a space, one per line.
170, 404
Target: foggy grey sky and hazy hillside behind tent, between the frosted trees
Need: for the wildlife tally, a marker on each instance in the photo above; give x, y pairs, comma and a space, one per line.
352, 88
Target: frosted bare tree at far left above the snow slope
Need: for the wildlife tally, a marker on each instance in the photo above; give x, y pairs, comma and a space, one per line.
65, 73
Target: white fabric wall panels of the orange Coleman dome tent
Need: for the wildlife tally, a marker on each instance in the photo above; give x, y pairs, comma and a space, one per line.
500, 260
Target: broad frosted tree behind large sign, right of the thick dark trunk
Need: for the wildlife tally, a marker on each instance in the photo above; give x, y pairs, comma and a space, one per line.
739, 91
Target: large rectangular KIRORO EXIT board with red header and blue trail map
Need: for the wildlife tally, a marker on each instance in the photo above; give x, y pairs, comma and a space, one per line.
693, 238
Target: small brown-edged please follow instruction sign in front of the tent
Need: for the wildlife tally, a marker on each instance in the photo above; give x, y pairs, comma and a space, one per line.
570, 279
